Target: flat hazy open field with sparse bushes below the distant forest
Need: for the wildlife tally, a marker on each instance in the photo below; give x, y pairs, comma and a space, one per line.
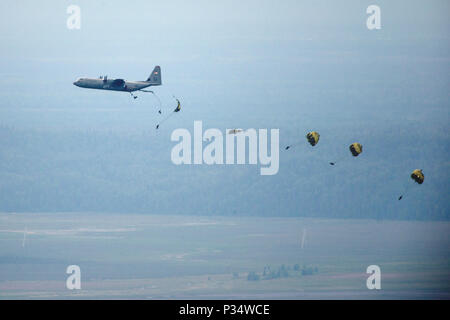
136, 256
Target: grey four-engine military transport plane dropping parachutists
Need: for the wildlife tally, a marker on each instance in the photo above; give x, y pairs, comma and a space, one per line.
103, 83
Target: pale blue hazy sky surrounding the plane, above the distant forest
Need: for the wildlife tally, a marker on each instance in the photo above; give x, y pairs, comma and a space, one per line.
222, 54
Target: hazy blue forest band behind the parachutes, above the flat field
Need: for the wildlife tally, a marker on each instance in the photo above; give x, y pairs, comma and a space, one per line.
100, 171
